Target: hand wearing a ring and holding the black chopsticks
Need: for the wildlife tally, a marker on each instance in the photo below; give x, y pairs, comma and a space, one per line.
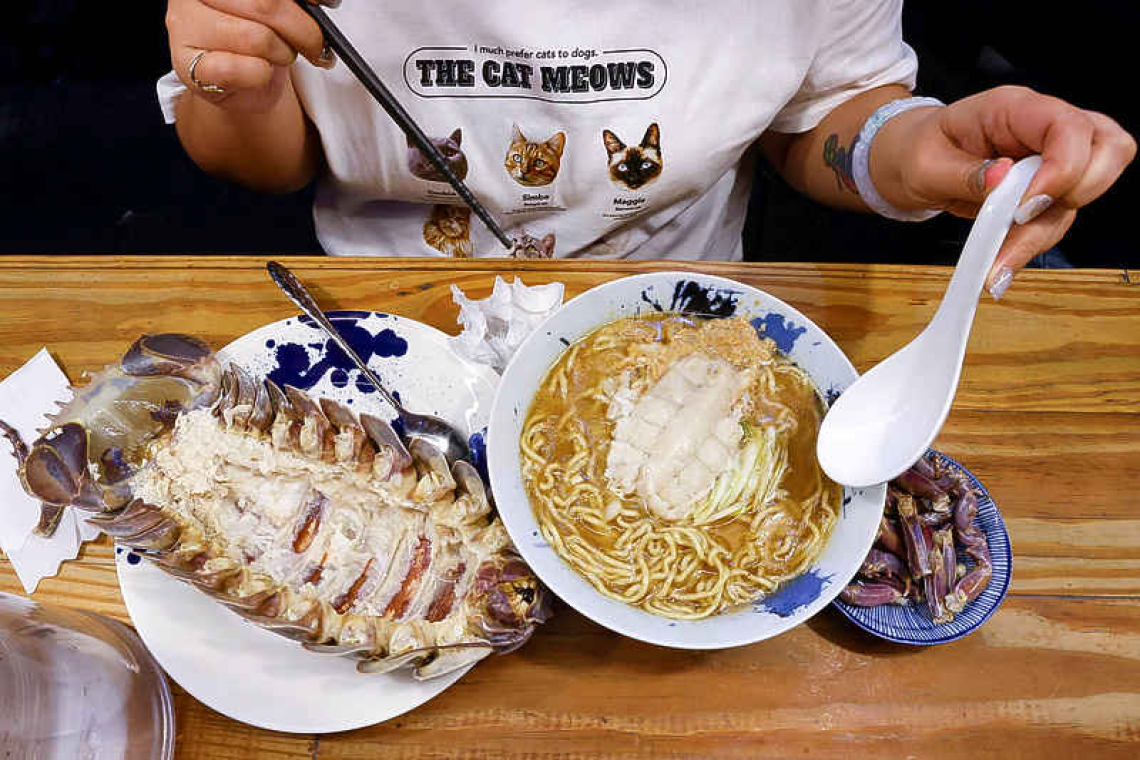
240, 51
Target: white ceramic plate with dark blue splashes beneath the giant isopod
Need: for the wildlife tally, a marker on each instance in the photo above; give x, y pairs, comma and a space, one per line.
247, 673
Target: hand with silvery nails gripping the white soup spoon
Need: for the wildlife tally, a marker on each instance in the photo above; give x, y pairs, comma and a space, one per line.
955, 157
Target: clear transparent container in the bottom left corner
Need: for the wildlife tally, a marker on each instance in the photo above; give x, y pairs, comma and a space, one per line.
79, 687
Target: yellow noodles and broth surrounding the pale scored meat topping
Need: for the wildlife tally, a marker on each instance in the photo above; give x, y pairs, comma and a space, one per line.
679, 570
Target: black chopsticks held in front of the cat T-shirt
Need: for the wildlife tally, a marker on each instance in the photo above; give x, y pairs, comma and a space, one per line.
388, 102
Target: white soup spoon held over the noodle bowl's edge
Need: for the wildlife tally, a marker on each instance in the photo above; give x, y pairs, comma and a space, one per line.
891, 415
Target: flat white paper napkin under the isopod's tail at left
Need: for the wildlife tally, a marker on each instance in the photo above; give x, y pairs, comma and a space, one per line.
27, 397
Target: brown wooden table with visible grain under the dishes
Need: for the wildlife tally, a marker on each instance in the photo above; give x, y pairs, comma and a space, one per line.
1048, 416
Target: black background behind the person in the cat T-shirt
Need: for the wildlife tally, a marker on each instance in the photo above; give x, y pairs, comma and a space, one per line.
88, 167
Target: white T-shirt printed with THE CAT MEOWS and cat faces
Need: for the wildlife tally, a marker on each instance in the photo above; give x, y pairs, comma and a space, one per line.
609, 129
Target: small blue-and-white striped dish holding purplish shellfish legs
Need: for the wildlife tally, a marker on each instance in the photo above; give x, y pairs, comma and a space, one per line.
913, 624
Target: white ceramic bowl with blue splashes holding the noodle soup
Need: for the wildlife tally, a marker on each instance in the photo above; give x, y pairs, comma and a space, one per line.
797, 337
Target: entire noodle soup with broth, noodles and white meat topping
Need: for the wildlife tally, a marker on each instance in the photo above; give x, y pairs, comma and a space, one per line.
671, 461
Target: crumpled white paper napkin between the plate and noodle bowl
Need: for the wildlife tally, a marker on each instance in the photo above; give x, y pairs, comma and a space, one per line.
495, 328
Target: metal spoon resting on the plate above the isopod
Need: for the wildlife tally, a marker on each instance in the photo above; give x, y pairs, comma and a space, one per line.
428, 428
